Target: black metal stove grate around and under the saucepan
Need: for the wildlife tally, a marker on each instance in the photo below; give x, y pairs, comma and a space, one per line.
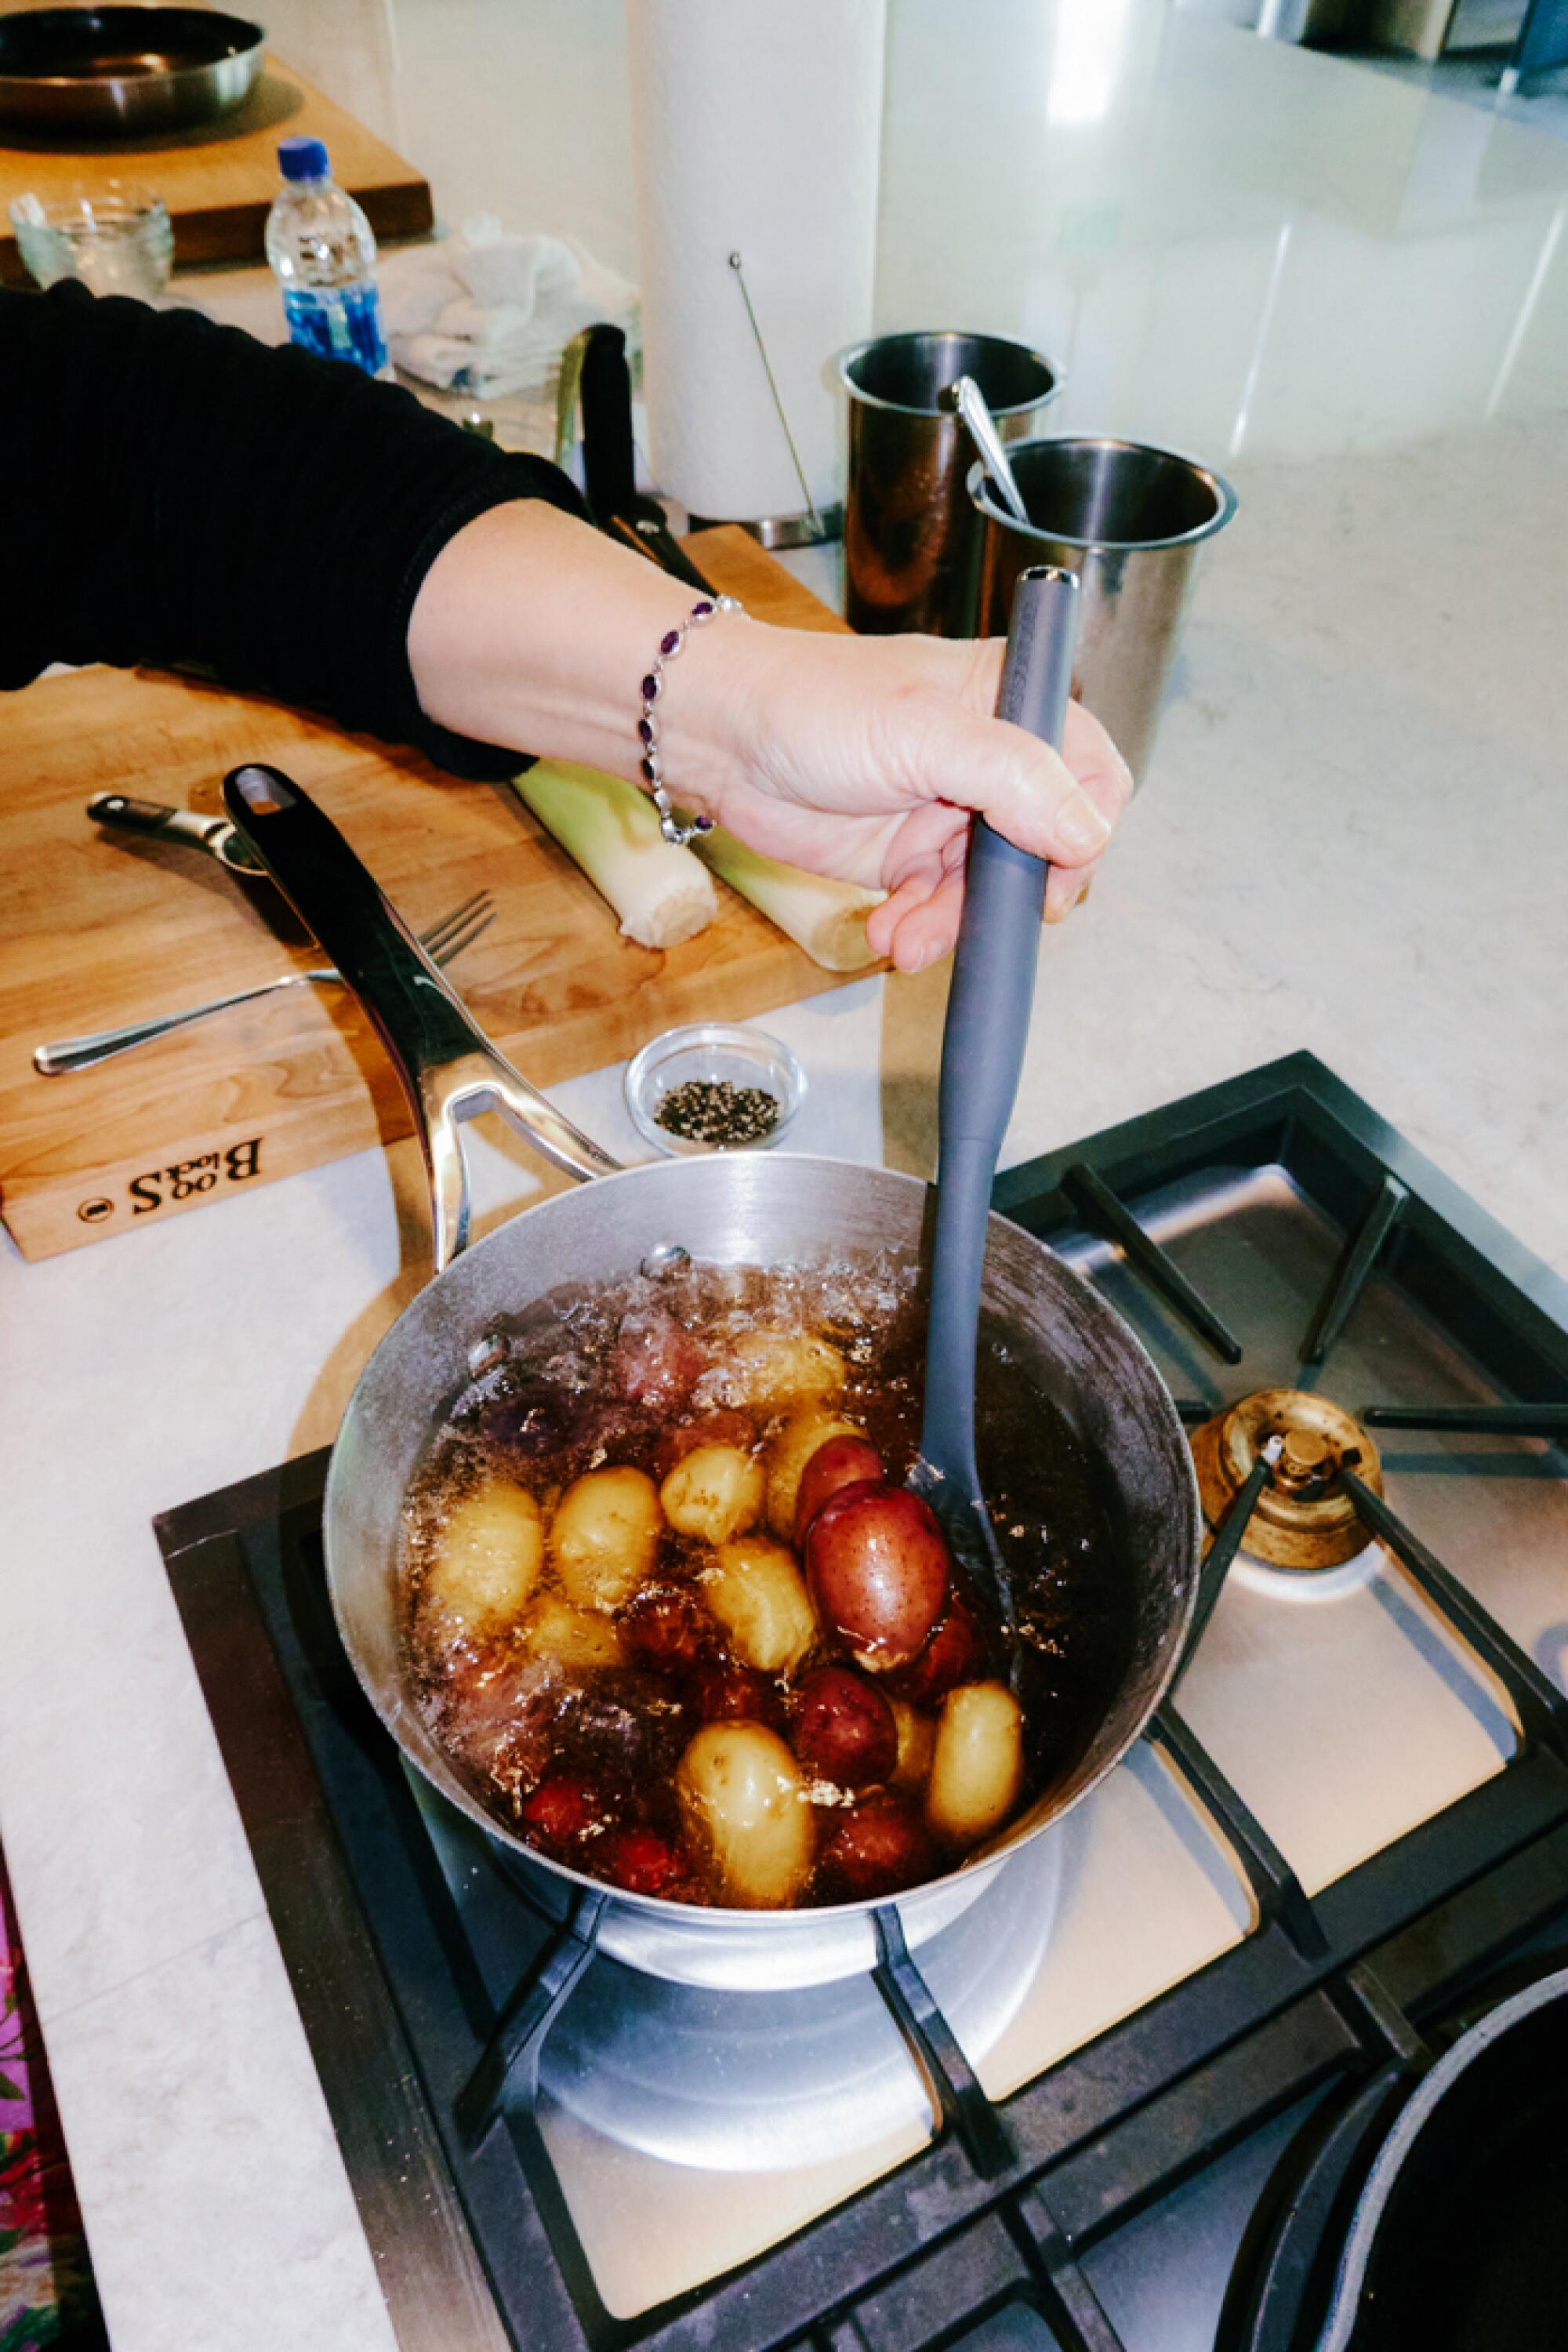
431, 2078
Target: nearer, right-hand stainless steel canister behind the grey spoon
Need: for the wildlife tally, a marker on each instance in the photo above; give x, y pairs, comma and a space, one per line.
1130, 521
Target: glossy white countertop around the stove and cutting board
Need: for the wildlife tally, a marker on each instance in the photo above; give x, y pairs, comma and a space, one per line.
1355, 838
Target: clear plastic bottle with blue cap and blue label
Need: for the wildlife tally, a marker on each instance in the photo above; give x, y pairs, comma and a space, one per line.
323, 255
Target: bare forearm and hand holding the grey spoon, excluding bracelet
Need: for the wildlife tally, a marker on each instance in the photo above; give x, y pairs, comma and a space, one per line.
855, 756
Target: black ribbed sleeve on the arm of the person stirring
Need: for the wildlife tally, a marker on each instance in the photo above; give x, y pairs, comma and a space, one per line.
185, 493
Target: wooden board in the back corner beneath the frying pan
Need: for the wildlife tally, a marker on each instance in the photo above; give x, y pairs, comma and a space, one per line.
220, 180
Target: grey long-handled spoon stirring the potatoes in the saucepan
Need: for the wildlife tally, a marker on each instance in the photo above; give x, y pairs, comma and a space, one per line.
989, 1022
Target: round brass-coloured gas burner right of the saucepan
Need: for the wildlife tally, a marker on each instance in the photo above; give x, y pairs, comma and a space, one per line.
1304, 1518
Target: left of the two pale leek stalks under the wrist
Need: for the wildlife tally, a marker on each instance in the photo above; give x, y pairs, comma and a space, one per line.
610, 829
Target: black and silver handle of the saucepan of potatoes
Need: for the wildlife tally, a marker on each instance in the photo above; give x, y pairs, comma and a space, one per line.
450, 1071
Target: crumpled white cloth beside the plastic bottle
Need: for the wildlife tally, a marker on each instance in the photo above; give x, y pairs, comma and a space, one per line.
490, 314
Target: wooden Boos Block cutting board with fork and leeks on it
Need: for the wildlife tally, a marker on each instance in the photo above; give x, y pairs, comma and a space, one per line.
98, 930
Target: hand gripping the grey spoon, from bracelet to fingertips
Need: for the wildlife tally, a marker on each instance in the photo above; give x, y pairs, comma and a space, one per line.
866, 756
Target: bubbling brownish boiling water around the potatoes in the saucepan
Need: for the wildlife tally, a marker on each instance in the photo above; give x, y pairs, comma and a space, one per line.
549, 1410
